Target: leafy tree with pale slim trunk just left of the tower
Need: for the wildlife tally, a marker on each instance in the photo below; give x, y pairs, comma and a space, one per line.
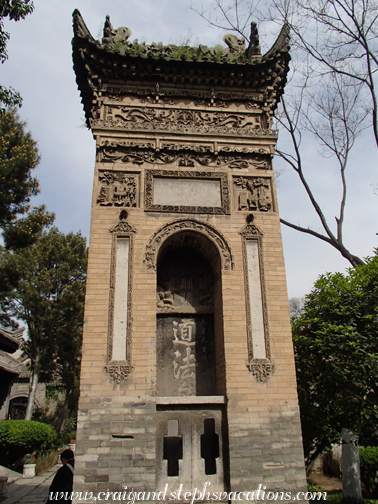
46, 287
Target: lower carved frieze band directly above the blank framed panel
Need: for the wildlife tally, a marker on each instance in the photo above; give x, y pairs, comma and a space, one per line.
183, 155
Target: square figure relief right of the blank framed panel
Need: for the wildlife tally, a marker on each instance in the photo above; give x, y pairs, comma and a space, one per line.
253, 194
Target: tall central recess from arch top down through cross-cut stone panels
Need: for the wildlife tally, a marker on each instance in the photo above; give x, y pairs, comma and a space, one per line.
190, 367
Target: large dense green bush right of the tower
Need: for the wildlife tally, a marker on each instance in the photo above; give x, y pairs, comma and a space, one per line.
336, 351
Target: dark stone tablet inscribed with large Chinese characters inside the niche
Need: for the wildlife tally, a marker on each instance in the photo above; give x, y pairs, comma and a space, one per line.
185, 355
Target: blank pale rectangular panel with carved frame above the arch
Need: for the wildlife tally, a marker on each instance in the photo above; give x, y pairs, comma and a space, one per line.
187, 192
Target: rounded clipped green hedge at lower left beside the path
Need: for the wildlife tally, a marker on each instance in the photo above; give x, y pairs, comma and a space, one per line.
19, 437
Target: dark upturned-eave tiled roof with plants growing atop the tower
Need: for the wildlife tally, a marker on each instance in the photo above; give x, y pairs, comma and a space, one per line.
116, 59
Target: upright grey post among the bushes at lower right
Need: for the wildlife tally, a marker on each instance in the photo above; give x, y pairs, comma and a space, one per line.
350, 465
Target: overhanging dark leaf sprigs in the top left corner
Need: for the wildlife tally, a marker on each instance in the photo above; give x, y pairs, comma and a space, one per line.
13, 10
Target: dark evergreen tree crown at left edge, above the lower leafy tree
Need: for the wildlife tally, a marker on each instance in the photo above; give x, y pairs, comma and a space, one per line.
18, 157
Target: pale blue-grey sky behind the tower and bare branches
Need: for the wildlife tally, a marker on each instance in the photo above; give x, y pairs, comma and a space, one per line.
40, 68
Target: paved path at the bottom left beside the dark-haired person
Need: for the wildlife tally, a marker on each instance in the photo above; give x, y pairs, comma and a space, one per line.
27, 491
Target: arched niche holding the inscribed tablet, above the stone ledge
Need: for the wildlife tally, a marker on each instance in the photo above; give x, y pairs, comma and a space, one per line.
190, 347
